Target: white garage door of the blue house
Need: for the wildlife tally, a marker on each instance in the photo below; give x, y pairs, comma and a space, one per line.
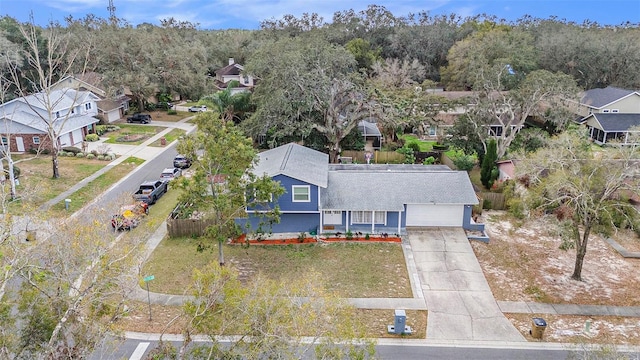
434, 215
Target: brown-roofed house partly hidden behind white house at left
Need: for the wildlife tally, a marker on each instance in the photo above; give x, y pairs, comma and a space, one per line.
110, 108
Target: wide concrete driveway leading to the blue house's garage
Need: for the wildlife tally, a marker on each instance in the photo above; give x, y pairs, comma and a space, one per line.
460, 303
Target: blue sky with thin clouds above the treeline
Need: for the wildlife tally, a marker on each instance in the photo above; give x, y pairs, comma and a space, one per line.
247, 14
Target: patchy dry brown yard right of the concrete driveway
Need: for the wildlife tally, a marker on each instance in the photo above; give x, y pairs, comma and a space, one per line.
523, 262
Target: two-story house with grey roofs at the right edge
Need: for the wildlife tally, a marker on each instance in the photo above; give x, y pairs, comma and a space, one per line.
611, 114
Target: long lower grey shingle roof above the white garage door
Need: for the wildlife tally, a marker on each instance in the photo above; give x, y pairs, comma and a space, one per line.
388, 188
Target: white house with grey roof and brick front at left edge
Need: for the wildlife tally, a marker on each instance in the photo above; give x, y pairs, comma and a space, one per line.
23, 128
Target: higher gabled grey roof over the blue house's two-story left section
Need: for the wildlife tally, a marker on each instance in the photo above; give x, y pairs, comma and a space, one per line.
294, 161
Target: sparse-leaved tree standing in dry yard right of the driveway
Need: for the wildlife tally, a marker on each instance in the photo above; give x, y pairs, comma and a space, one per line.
584, 187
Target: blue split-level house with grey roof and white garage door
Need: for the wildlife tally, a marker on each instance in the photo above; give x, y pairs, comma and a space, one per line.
358, 197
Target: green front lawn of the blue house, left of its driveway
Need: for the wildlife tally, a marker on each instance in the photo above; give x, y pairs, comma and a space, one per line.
351, 270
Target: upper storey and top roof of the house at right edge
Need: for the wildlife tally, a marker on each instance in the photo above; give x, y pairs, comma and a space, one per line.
609, 100
